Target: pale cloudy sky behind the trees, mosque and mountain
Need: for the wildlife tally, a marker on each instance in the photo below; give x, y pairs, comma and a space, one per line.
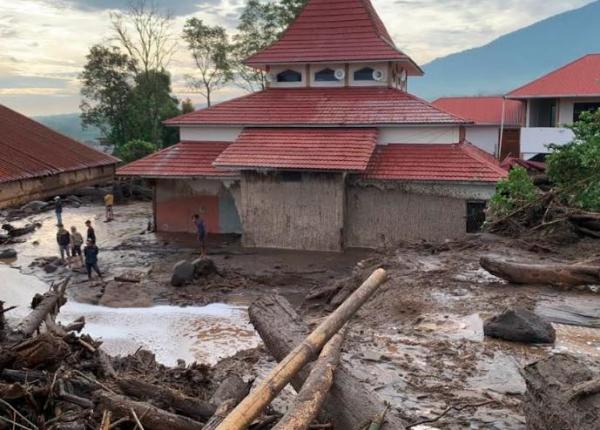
43, 43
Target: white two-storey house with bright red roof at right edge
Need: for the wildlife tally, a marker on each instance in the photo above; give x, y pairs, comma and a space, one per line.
556, 100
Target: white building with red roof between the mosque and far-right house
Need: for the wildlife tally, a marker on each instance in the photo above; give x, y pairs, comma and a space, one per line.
496, 122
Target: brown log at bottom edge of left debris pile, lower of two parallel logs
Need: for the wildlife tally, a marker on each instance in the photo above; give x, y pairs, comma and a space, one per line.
151, 417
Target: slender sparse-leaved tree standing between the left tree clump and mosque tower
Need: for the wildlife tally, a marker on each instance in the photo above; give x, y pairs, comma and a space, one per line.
209, 47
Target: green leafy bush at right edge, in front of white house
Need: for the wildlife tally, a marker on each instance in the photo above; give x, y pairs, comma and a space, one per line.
575, 168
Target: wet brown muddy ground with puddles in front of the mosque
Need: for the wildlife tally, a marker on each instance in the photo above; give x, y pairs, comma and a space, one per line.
418, 343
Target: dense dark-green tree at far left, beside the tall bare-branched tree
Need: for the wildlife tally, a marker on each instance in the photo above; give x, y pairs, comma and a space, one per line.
107, 81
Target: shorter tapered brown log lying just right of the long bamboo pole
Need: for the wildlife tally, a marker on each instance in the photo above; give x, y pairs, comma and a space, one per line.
309, 400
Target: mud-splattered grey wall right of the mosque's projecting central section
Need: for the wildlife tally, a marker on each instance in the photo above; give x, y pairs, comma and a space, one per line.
383, 215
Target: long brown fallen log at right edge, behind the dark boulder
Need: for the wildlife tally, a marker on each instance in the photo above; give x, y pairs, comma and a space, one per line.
557, 274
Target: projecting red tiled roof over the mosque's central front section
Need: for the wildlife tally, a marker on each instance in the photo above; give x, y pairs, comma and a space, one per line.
301, 148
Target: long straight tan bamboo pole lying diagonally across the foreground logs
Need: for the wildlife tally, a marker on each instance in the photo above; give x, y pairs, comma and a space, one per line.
251, 407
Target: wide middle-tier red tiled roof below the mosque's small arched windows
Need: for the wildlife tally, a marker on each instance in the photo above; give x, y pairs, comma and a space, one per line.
320, 106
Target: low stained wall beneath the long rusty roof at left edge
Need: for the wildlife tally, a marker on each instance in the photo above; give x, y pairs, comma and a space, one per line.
20, 192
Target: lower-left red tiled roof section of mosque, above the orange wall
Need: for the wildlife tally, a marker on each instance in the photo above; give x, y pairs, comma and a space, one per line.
186, 159
